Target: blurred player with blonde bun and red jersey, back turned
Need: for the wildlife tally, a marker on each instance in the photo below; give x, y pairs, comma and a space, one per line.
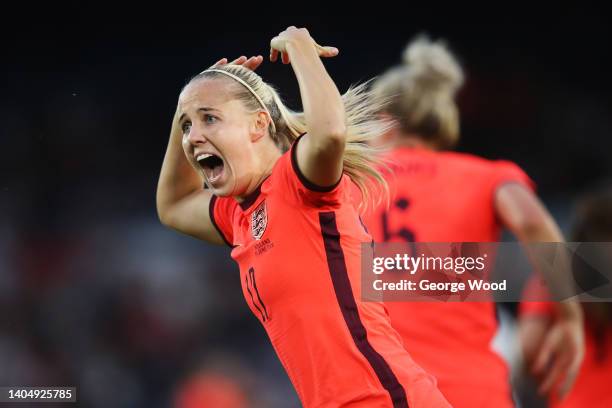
442, 196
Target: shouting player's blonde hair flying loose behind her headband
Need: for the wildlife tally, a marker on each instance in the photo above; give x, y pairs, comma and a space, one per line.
360, 160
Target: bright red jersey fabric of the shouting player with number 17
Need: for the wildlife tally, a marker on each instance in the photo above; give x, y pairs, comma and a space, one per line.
303, 305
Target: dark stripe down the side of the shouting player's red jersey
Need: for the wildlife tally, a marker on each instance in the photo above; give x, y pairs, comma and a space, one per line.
348, 306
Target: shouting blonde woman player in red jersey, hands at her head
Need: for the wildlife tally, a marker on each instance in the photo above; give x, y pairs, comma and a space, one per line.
283, 203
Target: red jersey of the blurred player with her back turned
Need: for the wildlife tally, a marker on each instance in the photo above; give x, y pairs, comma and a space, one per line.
448, 197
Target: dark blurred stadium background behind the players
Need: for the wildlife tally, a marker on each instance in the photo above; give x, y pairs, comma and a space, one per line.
95, 293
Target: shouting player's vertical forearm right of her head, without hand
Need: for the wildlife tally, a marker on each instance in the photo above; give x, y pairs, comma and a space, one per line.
322, 103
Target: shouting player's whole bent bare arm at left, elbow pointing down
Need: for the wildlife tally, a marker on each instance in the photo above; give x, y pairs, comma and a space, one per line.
182, 203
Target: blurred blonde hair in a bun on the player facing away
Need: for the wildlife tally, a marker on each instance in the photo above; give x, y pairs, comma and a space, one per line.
421, 92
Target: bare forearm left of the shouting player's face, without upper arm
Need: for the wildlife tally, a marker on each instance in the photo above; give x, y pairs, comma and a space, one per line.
177, 178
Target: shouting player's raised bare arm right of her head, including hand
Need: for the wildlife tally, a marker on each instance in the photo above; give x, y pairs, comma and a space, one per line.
320, 152
